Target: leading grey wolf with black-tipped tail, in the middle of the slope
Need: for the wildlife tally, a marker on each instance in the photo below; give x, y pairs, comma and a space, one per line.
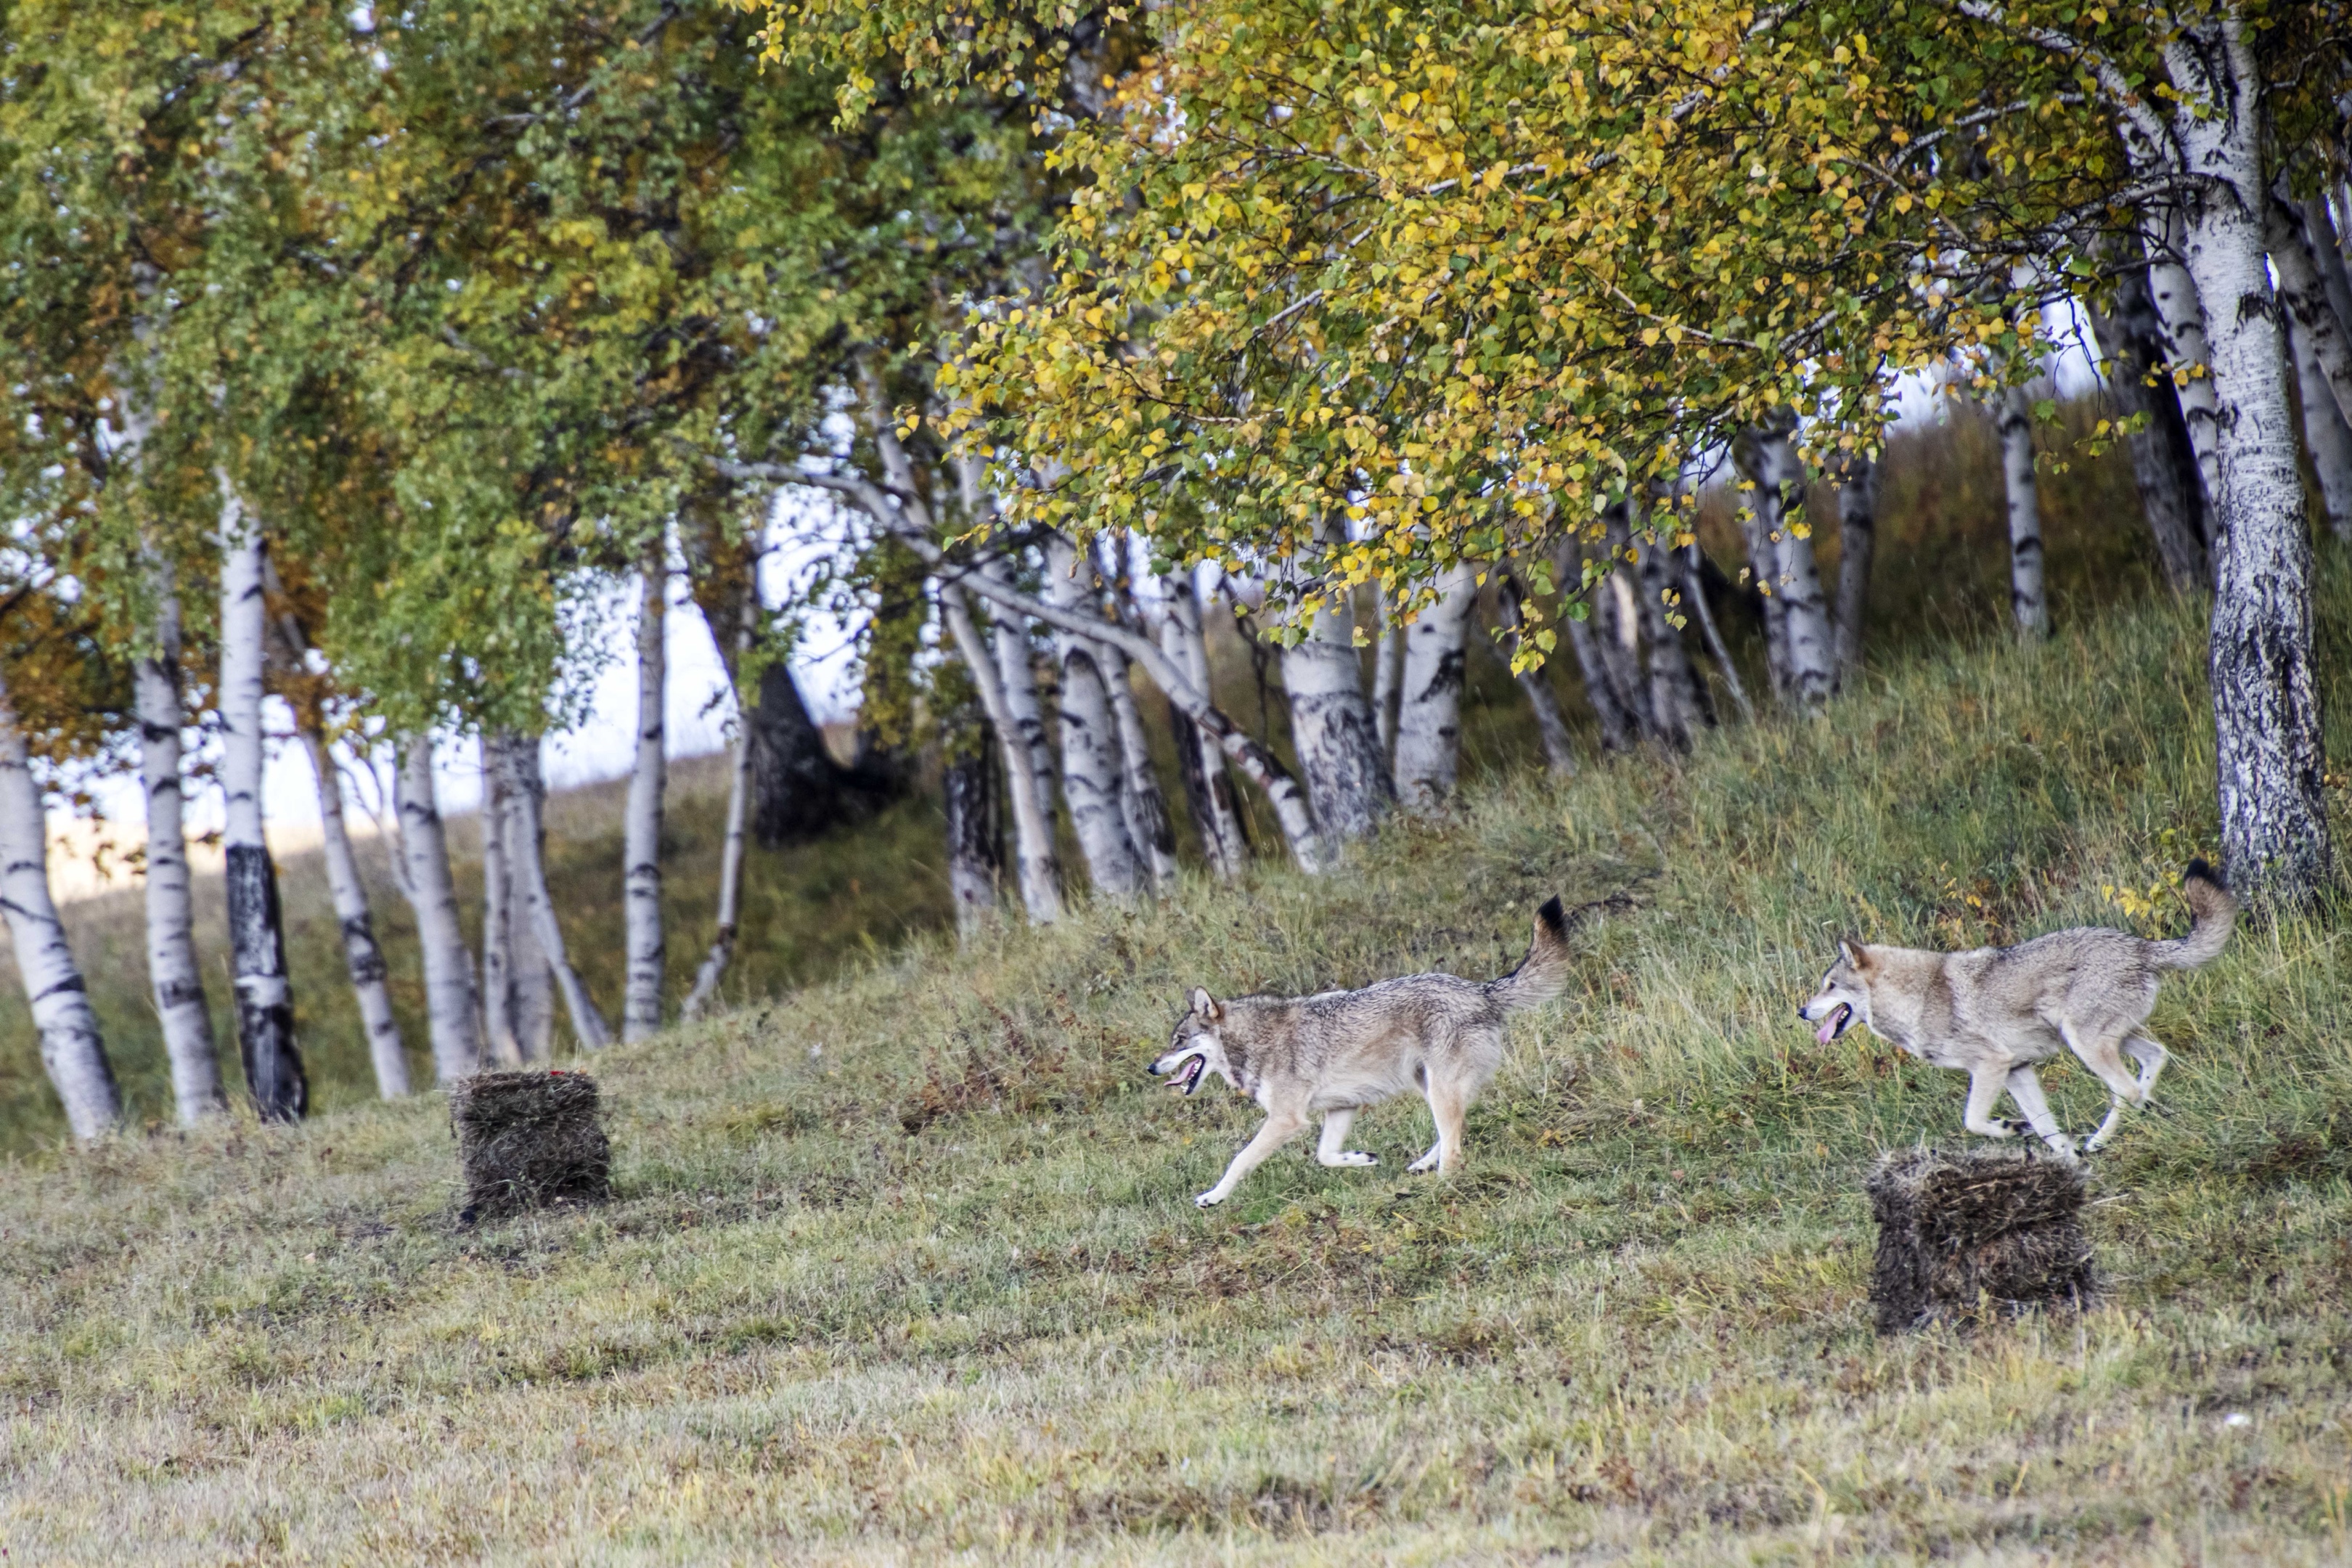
1339, 1052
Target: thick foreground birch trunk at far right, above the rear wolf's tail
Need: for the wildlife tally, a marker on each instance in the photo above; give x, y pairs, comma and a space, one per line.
2266, 697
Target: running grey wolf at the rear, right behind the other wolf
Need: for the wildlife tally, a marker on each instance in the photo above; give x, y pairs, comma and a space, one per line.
1998, 1012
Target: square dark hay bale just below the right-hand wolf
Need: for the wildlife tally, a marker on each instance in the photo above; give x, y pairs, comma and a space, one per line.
1984, 1228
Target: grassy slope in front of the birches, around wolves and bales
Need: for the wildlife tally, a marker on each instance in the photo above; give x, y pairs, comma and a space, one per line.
904, 1266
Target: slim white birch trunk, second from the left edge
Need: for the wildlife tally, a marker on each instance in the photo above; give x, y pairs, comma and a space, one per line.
171, 925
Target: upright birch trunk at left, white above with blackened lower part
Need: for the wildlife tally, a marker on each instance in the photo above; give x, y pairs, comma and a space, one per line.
255, 927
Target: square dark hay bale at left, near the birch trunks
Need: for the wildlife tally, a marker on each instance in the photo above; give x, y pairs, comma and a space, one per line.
528, 1139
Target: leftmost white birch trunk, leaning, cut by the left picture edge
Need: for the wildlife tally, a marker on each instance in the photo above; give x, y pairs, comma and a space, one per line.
53, 981
